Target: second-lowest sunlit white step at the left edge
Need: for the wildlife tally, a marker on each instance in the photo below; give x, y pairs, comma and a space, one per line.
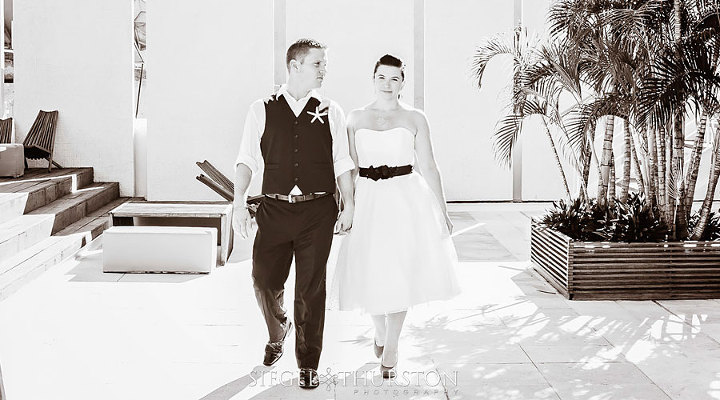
23, 232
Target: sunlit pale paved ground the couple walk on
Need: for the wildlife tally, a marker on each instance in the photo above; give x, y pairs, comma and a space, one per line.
76, 333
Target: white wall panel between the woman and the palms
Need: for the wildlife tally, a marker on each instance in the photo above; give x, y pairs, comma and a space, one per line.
462, 118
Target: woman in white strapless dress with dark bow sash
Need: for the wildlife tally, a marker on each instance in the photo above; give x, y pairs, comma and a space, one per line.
399, 252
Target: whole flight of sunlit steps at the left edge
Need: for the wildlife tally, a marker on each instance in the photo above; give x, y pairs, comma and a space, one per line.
39, 204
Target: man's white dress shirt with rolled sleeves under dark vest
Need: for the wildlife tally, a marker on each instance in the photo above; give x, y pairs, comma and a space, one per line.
251, 155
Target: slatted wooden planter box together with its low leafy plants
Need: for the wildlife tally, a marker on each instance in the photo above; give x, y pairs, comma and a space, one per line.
594, 251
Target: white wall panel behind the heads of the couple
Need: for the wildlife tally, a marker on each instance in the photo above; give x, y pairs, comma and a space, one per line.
357, 33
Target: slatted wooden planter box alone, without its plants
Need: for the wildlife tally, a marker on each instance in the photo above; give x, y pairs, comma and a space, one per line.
626, 271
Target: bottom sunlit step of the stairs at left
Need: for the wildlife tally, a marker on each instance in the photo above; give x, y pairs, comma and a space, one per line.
31, 262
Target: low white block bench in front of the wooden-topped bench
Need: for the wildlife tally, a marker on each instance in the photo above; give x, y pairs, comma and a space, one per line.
159, 249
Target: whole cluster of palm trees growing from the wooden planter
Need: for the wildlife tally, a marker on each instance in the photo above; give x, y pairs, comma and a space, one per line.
649, 63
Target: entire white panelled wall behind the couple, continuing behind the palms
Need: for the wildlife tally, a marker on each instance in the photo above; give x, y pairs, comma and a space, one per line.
207, 64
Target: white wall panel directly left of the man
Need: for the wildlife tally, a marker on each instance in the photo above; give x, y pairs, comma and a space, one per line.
207, 62
